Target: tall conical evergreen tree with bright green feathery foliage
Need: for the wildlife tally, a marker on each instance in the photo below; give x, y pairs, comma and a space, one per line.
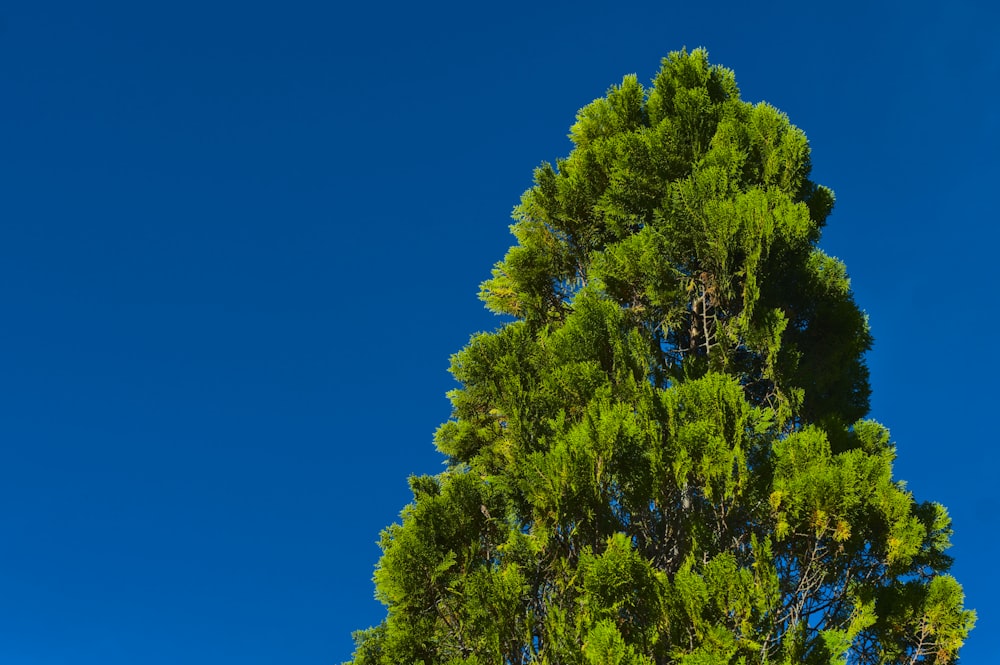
661, 457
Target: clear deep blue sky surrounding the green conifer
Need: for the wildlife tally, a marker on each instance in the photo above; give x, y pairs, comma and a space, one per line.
239, 242
